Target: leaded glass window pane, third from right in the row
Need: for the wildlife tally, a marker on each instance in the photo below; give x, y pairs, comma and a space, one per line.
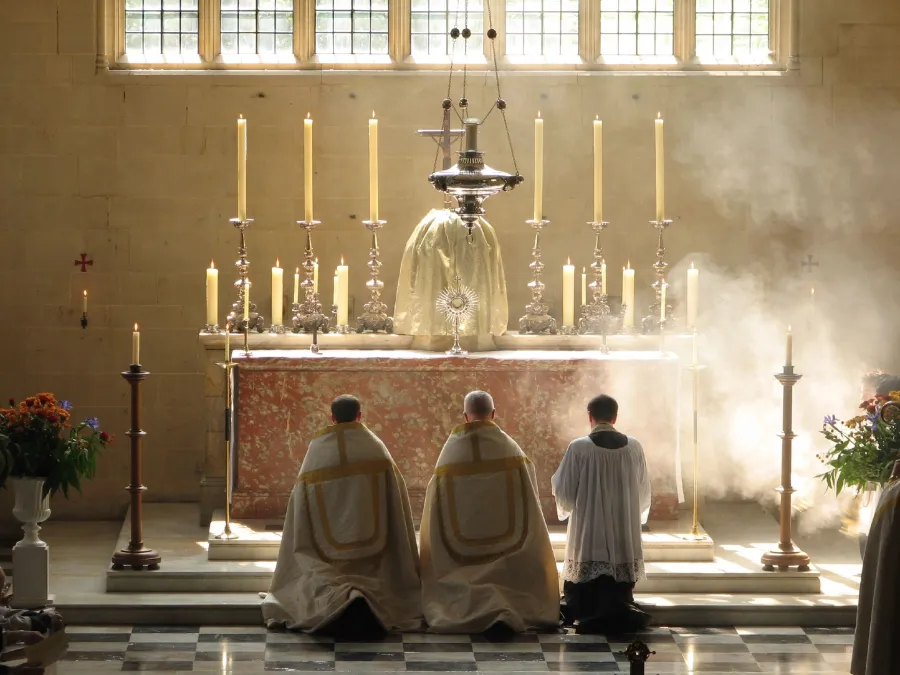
542, 27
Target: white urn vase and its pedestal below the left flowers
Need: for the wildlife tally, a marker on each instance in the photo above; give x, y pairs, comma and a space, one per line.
31, 556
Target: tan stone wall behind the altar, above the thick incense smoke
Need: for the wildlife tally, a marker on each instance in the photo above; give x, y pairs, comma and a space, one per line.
138, 171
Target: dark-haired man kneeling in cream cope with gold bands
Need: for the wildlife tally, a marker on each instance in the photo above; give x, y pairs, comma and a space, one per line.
348, 562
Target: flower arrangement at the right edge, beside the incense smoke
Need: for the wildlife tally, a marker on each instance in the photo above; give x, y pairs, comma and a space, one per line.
865, 447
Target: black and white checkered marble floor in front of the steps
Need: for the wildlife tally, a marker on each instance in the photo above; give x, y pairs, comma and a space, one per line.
250, 650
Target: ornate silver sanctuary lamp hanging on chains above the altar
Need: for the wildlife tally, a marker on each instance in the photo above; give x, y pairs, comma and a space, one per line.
470, 181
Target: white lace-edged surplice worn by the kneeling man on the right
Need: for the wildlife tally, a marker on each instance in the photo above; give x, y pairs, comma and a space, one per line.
605, 494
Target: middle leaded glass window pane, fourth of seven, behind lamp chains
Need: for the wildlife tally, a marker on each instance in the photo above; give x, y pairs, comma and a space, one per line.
432, 20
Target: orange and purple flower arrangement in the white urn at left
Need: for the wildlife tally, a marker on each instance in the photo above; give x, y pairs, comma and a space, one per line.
39, 441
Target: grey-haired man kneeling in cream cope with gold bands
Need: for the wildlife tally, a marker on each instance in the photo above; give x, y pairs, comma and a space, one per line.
487, 562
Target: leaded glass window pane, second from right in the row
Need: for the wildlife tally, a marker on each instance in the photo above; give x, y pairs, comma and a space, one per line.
637, 27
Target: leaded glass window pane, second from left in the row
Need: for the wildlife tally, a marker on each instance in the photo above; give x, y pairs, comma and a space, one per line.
263, 27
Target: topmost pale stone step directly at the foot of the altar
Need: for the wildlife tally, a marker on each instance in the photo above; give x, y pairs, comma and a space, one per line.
666, 542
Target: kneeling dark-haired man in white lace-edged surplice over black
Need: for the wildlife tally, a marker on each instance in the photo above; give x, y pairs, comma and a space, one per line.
603, 488
